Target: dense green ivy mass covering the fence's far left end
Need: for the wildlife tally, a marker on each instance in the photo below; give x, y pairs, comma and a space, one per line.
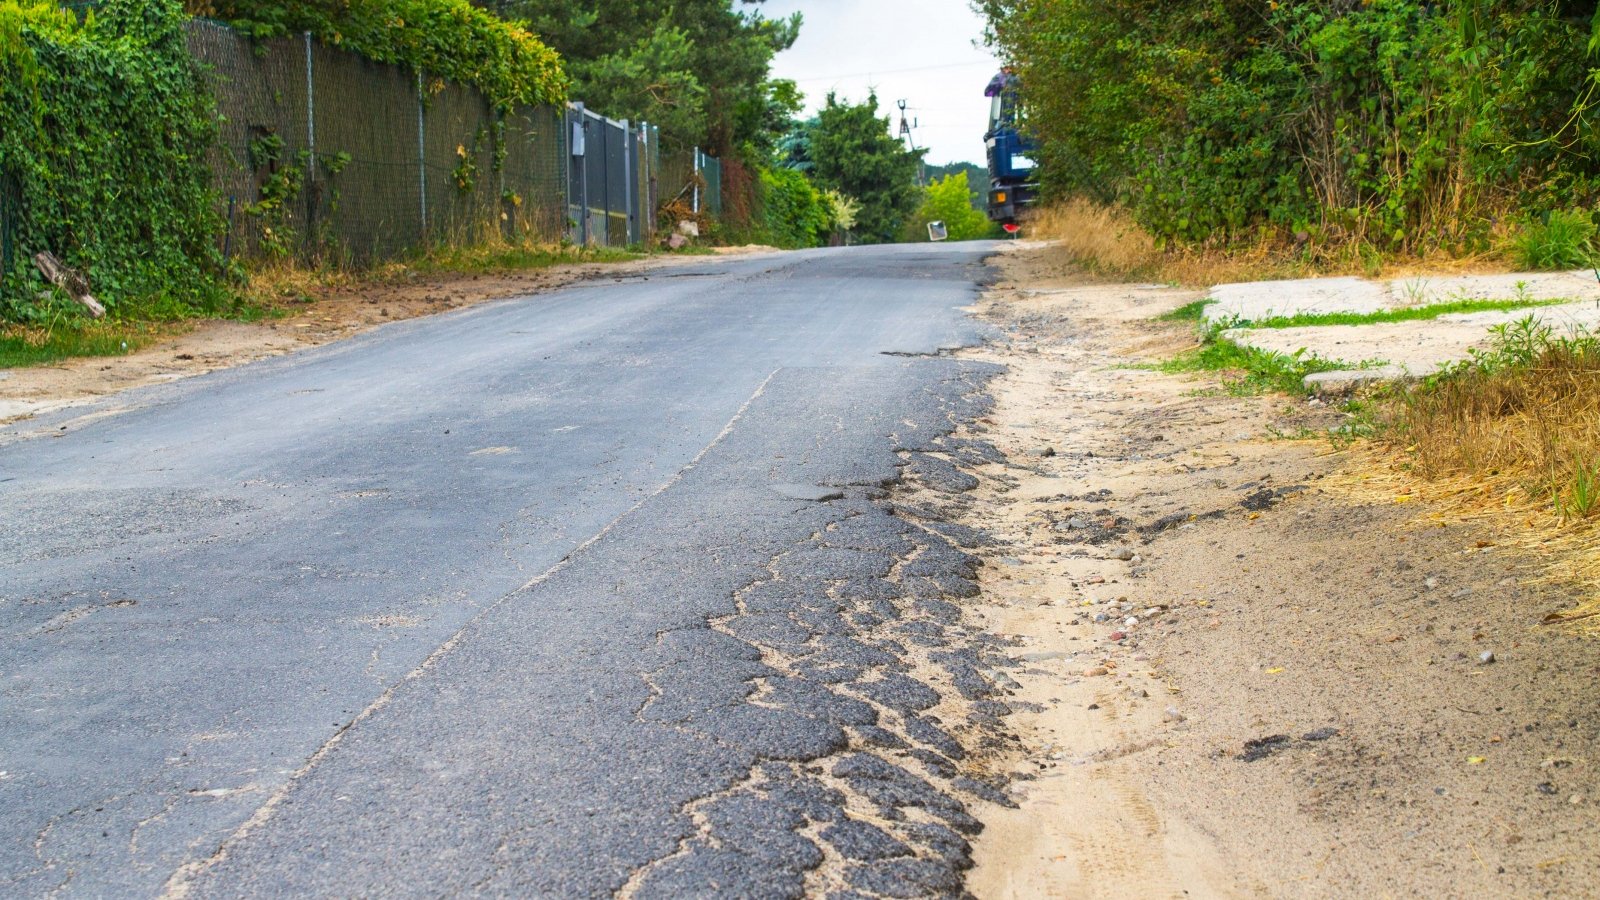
105, 127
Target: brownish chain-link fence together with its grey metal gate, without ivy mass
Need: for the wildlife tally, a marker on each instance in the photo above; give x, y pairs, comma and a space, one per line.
324, 155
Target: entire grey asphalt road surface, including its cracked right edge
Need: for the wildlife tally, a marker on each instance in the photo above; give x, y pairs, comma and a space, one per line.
511, 601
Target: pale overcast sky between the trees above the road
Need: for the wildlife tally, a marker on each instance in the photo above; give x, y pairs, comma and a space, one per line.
926, 52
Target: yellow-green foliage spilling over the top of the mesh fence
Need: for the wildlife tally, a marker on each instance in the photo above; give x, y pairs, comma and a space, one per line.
447, 39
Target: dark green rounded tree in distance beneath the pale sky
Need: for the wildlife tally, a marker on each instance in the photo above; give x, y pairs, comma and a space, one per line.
852, 151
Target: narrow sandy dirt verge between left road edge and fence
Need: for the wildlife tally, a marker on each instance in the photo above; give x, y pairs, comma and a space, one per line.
318, 316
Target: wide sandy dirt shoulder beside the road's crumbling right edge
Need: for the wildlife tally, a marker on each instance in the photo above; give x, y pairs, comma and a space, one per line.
1238, 680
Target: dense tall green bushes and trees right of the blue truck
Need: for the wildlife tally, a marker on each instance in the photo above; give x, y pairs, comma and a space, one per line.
1330, 131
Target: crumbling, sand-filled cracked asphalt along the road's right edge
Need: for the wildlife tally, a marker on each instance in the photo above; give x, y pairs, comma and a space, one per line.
862, 630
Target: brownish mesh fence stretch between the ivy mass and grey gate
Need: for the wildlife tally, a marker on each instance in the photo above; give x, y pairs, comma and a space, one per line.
324, 153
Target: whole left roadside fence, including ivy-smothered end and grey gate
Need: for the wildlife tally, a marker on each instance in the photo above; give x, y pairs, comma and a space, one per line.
151, 151
